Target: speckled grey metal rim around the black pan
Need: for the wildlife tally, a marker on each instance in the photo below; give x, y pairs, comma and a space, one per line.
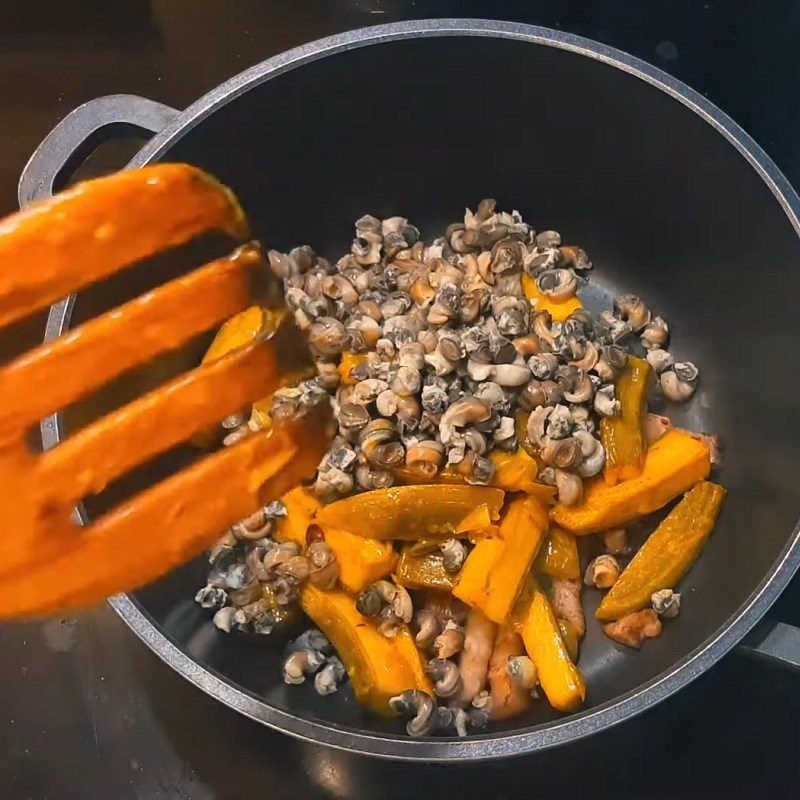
545, 735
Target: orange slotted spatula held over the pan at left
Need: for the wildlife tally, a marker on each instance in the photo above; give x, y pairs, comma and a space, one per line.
47, 562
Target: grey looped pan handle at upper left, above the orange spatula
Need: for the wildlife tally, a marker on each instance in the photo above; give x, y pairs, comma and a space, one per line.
80, 132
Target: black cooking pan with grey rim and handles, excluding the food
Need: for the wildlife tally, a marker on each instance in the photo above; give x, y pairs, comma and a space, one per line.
669, 196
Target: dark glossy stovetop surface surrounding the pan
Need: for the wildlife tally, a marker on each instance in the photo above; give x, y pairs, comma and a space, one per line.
86, 711
